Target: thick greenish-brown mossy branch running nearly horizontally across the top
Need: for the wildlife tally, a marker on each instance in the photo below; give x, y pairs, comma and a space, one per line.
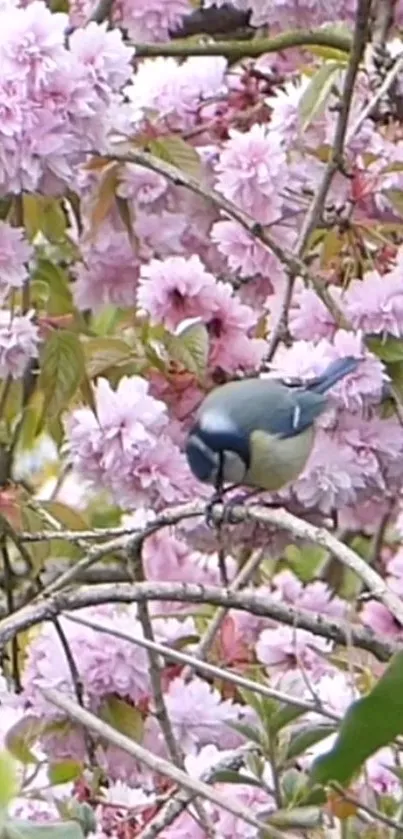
235, 50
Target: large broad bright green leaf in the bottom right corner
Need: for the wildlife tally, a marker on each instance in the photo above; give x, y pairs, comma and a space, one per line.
370, 723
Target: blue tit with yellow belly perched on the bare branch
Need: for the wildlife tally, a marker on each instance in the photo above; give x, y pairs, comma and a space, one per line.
259, 432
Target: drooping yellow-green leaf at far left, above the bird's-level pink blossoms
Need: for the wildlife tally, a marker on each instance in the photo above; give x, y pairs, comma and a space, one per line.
62, 369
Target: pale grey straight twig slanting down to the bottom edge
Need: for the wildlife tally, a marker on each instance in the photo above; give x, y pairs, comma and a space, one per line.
155, 763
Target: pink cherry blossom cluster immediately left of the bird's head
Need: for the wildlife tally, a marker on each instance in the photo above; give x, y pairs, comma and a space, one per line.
125, 447
